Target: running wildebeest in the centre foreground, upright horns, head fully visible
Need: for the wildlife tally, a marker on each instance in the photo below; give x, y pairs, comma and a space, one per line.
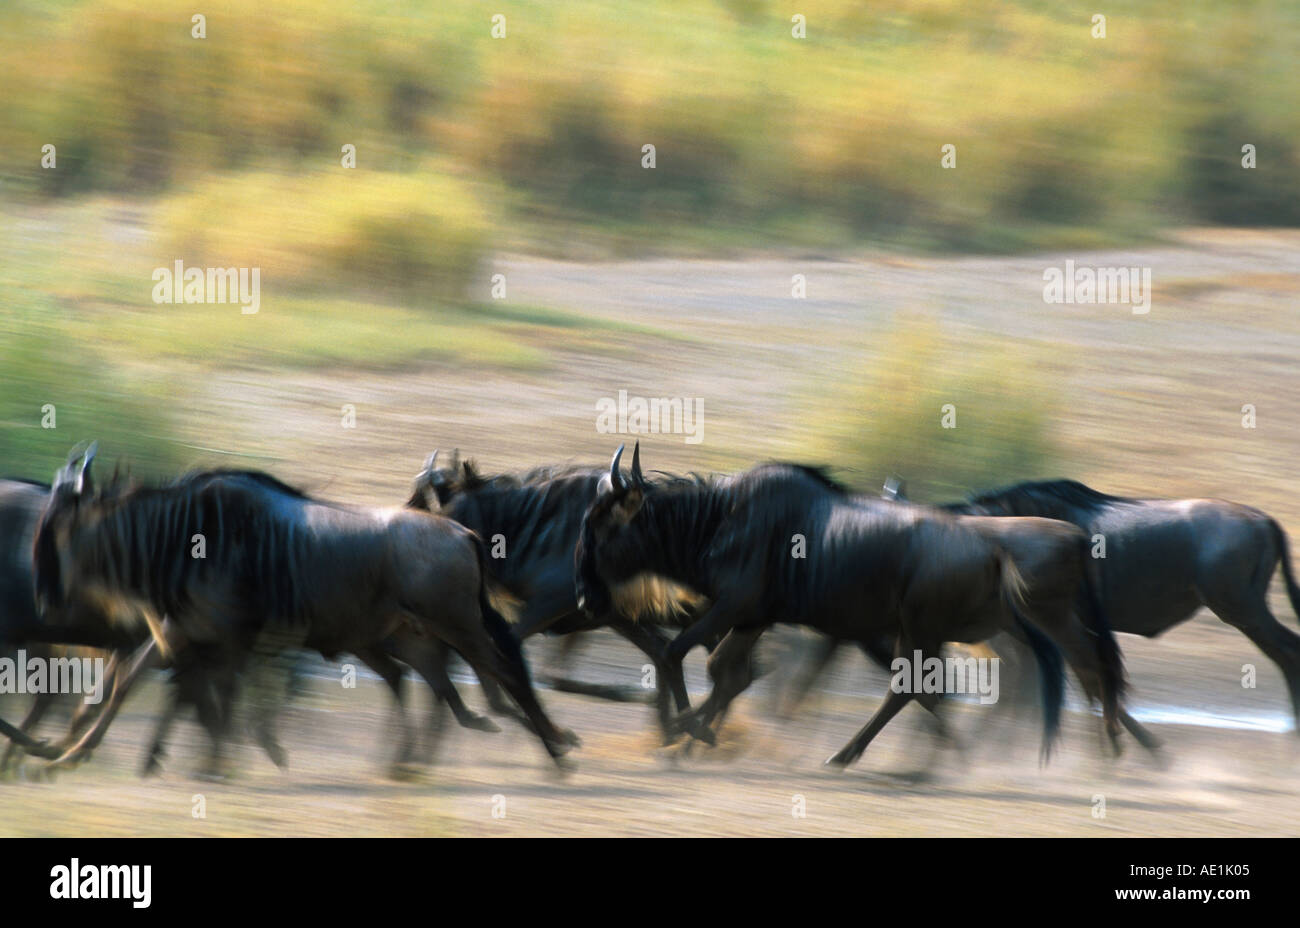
869, 569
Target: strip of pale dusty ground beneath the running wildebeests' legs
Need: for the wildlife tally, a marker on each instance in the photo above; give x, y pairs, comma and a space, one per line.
1216, 782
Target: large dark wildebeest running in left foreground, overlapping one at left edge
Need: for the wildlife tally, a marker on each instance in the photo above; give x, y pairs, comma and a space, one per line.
275, 558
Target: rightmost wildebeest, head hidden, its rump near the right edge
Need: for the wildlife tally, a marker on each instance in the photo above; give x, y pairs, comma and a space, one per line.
1167, 558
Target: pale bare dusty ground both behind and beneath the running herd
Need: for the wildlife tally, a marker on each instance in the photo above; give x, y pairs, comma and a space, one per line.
1155, 407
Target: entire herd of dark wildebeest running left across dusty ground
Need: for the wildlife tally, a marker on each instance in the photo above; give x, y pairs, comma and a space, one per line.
219, 574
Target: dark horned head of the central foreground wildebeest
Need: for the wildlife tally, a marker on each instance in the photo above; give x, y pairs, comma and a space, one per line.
606, 550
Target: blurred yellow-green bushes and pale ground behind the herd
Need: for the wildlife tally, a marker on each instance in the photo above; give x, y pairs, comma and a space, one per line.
500, 259
